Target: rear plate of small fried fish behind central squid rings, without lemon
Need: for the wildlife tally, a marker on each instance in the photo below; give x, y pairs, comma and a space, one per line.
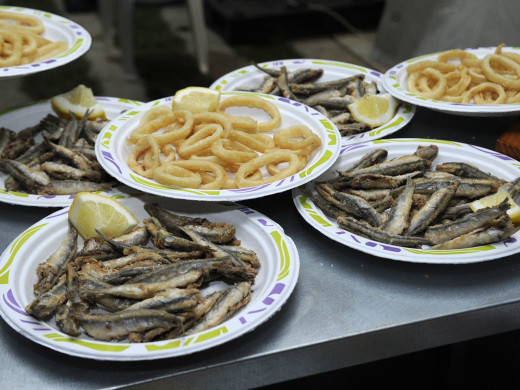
327, 86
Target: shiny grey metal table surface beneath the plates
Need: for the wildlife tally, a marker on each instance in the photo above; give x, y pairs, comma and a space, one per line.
348, 307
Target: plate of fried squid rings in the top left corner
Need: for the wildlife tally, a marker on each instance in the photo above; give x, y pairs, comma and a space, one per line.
34, 41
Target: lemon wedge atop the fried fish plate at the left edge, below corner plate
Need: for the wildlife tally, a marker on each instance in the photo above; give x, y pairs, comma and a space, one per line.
77, 101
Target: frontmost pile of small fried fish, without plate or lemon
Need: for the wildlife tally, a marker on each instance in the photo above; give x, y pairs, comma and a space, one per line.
156, 282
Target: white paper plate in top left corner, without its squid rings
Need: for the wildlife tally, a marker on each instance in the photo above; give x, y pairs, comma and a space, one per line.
57, 28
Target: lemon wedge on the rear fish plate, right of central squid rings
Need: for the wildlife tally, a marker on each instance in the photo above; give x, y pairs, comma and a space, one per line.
374, 110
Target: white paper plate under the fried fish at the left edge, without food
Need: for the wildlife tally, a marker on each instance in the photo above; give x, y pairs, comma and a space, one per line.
20, 118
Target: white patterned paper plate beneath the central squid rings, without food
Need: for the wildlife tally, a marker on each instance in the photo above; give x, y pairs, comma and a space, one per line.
112, 151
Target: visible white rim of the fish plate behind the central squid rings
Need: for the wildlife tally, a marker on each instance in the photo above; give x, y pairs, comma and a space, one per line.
401, 118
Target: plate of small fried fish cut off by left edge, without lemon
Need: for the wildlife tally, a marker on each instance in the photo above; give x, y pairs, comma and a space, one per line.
46, 159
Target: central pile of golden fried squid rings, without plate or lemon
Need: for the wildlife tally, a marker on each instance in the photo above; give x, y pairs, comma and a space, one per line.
218, 150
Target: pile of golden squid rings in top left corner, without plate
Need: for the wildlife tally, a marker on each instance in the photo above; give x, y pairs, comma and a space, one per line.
21, 41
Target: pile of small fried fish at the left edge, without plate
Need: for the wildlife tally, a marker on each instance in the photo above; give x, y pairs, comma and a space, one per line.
54, 157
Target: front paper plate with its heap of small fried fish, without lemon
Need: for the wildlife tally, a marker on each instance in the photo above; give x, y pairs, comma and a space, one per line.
189, 277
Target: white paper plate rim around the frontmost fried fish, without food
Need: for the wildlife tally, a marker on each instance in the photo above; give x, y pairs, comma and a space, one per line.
274, 283
